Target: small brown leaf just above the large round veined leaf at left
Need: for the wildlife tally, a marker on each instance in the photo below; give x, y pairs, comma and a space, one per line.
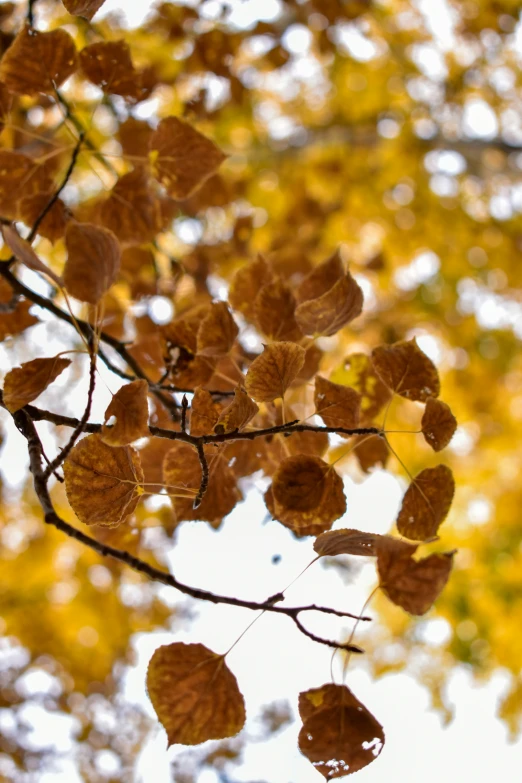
130, 408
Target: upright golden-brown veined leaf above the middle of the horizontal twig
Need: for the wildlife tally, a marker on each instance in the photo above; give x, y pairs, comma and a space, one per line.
271, 373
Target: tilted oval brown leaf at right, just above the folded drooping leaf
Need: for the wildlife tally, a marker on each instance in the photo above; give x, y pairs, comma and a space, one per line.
426, 503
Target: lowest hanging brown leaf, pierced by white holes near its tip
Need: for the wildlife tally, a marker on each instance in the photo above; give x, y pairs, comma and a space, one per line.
339, 739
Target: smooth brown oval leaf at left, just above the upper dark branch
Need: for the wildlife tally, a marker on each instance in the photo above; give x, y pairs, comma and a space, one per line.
93, 261
